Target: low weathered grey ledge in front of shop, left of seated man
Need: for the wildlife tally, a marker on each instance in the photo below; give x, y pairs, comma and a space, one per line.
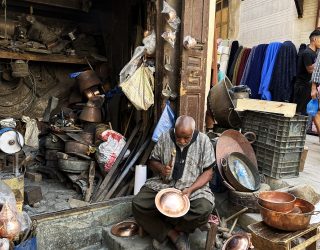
80, 228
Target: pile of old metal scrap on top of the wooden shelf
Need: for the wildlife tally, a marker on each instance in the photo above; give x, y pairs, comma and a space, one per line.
32, 35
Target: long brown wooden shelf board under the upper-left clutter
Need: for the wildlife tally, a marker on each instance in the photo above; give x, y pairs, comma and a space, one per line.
42, 57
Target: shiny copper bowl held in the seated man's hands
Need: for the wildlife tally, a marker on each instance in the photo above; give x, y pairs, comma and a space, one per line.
172, 203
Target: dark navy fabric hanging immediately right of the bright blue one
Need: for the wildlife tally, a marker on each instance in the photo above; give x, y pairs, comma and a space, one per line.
283, 77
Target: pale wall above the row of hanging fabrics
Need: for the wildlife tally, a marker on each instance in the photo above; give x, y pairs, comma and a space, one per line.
264, 21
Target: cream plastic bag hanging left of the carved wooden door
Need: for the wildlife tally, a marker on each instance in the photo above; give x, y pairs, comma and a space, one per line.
139, 88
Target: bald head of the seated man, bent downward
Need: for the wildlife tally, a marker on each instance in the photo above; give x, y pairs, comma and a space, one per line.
184, 128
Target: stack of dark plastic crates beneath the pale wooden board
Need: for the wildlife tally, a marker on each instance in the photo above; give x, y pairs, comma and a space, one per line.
279, 144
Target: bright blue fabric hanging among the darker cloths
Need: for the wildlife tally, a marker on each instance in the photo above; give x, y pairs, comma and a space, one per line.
267, 70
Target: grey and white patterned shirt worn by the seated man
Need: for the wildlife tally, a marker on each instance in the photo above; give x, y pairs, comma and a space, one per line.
200, 156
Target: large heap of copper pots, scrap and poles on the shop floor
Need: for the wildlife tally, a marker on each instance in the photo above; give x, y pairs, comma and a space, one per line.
77, 145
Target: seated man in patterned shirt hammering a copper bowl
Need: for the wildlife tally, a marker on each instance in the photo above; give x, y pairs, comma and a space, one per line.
193, 169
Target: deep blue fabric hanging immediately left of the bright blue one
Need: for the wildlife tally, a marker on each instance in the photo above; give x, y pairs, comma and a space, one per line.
254, 73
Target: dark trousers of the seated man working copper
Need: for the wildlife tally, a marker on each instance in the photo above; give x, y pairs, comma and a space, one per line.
157, 225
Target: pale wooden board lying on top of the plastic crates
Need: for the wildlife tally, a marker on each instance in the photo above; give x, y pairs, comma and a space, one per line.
287, 109
